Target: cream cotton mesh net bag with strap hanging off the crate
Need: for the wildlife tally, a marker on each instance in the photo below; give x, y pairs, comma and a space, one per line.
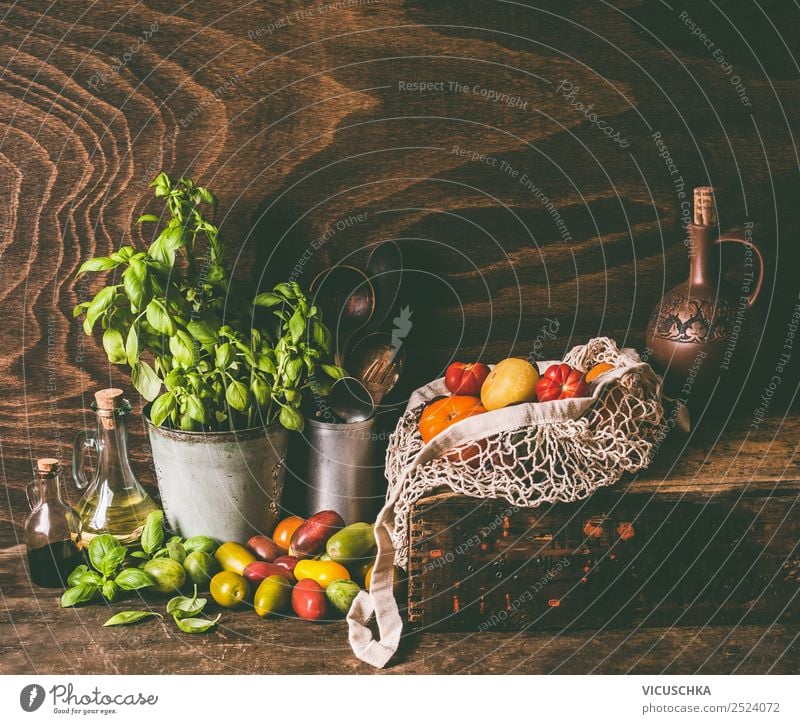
527, 454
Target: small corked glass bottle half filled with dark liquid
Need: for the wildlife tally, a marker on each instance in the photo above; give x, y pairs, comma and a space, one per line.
52, 530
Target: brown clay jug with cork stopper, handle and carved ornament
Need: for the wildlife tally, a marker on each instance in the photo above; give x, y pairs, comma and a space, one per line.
700, 327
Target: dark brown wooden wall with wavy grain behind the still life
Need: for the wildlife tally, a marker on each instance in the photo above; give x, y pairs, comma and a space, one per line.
295, 114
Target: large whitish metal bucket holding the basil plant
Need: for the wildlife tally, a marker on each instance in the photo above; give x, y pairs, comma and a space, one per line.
224, 484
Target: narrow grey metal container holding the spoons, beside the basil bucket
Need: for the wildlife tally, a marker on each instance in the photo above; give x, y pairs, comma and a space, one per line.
339, 468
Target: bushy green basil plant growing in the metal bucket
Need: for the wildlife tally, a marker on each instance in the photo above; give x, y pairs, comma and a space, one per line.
197, 347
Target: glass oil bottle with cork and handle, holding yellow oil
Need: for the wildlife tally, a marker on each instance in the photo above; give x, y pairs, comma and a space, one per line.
114, 502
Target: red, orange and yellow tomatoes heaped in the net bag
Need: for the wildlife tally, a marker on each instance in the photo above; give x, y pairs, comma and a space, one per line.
477, 389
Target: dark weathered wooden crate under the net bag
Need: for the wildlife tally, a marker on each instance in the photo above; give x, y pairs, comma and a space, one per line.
697, 540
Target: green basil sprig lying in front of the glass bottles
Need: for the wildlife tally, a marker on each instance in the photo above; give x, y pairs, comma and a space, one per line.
106, 554
